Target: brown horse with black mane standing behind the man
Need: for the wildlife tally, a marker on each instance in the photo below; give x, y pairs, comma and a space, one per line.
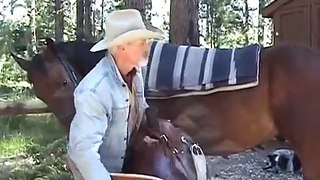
285, 102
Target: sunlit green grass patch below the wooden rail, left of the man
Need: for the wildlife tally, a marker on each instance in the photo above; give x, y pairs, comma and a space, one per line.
32, 147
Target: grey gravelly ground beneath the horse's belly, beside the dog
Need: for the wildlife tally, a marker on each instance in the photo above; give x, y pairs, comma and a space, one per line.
245, 166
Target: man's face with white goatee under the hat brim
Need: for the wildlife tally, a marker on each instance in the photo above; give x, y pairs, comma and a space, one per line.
137, 52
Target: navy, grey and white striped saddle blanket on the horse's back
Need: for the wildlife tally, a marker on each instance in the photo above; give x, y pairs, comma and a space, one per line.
175, 67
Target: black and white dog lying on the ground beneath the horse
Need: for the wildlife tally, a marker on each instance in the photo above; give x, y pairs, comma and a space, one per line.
285, 160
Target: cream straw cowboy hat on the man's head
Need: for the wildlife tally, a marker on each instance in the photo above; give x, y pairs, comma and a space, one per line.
123, 26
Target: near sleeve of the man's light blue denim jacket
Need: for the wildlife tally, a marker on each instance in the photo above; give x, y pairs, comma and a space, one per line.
86, 133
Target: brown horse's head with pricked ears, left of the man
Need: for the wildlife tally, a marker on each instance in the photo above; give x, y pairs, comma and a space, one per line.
53, 80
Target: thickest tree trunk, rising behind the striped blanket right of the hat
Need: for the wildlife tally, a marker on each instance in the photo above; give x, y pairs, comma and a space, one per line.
184, 28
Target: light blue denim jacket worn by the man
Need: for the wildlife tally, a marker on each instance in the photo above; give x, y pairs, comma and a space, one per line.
98, 133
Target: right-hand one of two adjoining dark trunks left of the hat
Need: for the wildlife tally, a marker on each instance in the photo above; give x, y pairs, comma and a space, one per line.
87, 20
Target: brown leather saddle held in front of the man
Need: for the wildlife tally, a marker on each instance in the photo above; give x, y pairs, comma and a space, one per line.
160, 149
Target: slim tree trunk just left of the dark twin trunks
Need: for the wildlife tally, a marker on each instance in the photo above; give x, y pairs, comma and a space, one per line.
59, 23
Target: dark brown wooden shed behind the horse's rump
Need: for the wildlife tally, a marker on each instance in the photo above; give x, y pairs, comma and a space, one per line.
295, 21
